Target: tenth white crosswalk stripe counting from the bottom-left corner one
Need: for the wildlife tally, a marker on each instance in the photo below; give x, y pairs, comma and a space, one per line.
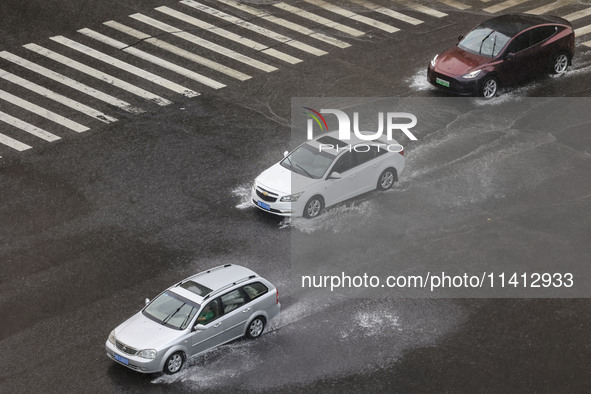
204, 43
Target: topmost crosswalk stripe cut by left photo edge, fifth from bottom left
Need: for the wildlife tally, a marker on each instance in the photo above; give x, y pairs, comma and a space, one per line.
70, 82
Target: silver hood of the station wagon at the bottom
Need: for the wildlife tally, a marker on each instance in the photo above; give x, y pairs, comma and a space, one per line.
141, 333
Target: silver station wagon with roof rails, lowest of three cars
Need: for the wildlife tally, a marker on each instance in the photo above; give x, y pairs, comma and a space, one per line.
195, 315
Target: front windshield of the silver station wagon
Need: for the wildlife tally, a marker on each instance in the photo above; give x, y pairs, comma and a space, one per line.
171, 310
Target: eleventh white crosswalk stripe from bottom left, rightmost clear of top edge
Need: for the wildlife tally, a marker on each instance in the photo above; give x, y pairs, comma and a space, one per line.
229, 35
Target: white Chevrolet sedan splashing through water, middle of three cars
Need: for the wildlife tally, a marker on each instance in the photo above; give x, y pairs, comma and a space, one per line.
325, 171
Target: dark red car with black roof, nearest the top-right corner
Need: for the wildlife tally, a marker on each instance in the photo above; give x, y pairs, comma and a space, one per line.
504, 51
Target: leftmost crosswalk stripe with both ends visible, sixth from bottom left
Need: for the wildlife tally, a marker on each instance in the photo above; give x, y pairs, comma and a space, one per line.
98, 74
